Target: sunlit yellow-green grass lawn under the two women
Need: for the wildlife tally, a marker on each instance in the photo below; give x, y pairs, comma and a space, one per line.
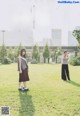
48, 95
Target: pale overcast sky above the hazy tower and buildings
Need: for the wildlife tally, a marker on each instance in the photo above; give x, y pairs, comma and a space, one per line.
18, 15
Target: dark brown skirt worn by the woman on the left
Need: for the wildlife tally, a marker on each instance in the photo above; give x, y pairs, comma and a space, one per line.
24, 76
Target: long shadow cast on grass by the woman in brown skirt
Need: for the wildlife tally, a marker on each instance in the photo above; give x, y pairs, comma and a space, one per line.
26, 105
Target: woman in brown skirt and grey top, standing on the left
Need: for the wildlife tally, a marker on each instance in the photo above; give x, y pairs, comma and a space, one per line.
23, 70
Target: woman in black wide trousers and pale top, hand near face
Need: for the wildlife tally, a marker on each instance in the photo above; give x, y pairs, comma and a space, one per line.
65, 69
